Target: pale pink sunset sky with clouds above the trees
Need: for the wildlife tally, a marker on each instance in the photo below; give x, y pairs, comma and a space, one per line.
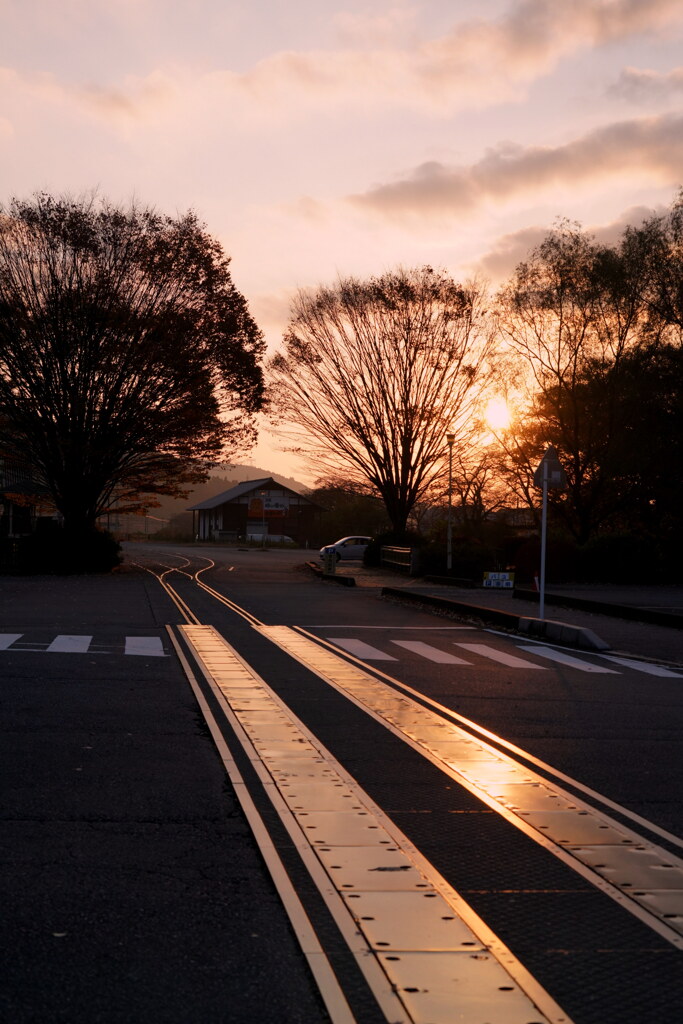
320, 139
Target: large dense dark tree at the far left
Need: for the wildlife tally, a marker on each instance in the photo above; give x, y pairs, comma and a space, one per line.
129, 360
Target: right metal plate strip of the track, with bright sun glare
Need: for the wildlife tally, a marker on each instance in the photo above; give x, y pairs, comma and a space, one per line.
642, 877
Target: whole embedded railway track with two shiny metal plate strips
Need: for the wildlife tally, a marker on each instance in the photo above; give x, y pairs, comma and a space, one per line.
388, 932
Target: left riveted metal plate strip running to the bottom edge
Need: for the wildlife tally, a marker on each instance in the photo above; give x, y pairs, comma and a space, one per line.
429, 958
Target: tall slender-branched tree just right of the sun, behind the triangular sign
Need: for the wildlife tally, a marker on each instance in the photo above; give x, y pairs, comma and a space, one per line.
574, 312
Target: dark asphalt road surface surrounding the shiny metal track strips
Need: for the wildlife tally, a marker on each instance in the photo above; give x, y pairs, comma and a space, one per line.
133, 886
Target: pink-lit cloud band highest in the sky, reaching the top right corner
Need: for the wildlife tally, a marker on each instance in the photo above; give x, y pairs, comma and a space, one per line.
479, 62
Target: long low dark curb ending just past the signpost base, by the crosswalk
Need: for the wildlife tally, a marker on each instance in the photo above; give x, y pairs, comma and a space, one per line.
576, 636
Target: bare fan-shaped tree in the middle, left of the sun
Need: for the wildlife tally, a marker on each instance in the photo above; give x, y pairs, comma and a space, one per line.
376, 373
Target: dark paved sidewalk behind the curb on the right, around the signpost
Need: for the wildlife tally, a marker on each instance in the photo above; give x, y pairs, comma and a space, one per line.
624, 636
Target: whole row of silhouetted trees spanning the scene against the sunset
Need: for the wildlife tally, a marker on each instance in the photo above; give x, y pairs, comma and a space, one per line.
130, 363
